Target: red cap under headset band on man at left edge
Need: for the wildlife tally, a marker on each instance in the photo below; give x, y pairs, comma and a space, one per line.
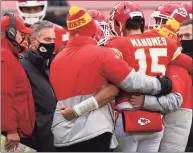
20, 26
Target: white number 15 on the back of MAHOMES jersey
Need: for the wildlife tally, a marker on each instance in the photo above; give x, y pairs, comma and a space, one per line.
155, 53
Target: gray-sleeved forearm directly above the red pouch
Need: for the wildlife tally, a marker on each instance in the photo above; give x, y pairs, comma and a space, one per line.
164, 104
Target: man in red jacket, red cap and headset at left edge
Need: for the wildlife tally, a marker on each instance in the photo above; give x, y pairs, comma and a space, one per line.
18, 113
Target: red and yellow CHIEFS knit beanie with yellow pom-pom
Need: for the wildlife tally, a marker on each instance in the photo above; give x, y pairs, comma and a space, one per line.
80, 22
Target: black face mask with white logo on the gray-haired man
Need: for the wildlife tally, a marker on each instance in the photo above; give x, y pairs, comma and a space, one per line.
46, 50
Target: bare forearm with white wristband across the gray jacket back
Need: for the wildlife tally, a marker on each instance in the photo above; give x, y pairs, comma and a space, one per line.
100, 99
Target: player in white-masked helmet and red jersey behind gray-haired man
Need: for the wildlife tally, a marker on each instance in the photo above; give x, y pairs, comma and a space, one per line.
33, 11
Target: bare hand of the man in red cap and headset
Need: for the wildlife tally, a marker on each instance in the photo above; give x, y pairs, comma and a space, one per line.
12, 142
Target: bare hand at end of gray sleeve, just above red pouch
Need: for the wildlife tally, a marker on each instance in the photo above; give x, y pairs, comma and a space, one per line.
137, 101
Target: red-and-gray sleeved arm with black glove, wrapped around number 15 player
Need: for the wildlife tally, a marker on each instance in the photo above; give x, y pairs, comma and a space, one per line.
117, 71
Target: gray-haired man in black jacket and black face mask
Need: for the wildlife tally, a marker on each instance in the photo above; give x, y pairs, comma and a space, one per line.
35, 63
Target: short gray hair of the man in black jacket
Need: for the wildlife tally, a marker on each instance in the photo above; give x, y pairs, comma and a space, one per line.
38, 26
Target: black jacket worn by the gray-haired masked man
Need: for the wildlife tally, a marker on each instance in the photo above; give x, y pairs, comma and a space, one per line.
43, 94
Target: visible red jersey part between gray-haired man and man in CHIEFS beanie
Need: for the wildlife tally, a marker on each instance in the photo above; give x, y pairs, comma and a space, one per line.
61, 38
